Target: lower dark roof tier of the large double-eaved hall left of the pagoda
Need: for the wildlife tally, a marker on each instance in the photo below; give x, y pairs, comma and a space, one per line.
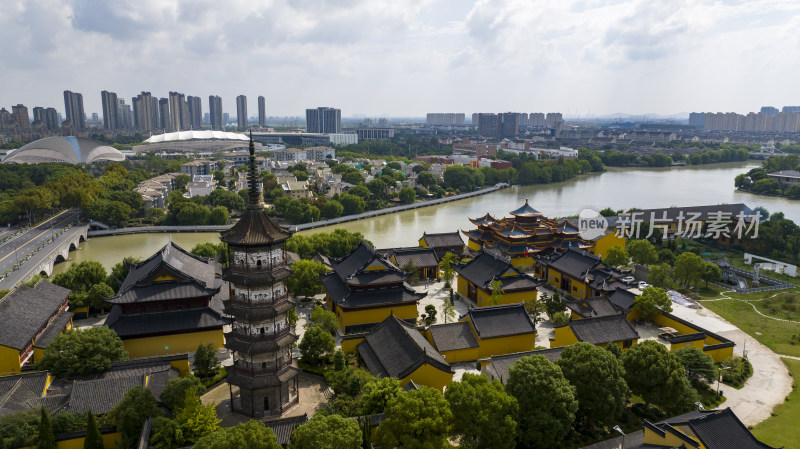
139, 325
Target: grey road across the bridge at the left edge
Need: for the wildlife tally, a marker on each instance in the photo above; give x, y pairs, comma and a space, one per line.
17, 248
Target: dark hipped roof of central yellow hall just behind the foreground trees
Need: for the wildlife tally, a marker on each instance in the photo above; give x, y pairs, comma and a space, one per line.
394, 348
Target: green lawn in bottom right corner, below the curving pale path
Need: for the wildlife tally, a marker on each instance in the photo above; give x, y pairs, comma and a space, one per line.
782, 429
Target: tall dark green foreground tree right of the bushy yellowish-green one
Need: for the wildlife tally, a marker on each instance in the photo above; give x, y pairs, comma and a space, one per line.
547, 403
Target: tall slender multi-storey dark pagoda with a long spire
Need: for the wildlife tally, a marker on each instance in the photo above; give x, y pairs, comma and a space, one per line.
261, 337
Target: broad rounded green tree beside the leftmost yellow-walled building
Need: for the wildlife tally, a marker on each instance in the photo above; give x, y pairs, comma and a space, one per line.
82, 351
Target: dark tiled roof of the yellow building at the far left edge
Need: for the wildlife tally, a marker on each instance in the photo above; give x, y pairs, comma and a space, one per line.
26, 311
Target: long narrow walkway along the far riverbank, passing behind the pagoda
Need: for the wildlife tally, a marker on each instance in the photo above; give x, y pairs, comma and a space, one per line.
304, 226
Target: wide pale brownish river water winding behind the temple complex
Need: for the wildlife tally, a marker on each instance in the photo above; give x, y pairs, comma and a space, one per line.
615, 188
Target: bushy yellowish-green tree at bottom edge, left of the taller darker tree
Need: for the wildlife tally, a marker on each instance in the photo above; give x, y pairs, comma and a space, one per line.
484, 415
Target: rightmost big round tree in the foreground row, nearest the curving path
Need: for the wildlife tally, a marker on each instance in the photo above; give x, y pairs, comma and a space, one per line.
657, 376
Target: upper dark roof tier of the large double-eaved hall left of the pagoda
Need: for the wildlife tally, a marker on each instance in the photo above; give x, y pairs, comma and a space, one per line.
177, 260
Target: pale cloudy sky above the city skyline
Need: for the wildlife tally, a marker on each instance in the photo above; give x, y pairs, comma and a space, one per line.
405, 57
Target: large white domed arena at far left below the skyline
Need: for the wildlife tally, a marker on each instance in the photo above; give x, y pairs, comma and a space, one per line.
67, 150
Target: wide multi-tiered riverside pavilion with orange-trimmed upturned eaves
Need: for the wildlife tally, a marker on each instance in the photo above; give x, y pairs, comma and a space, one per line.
524, 235
